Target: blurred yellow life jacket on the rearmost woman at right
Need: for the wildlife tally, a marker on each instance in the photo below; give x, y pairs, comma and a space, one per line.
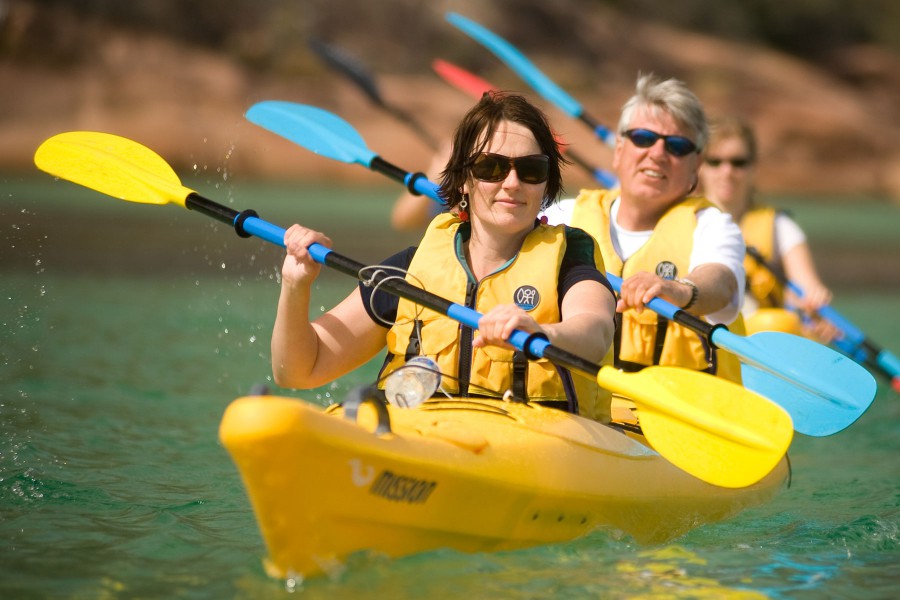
758, 227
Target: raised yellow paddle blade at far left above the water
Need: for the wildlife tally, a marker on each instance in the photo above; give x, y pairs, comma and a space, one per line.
112, 165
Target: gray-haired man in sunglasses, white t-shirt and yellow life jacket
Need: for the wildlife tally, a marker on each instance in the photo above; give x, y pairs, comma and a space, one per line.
660, 239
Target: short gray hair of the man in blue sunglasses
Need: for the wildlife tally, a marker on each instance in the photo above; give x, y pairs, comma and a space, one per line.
670, 96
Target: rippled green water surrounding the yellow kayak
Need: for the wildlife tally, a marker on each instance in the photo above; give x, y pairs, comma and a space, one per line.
128, 329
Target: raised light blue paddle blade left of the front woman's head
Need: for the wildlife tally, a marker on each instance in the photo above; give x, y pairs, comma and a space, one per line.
318, 130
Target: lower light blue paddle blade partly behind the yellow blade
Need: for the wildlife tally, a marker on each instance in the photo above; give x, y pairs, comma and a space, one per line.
823, 390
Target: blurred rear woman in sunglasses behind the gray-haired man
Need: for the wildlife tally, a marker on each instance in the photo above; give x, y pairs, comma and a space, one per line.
775, 243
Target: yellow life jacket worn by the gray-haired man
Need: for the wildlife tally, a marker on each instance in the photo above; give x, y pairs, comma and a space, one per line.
647, 338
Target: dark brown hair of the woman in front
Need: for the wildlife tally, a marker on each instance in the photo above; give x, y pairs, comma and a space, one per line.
478, 127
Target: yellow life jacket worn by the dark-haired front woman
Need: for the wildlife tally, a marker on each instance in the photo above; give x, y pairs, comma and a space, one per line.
530, 281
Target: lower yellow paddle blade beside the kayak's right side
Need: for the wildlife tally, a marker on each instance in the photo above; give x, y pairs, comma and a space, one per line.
714, 429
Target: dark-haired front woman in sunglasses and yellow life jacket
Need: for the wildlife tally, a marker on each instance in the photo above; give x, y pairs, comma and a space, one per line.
488, 252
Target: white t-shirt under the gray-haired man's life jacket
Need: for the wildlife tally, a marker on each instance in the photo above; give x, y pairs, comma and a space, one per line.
717, 239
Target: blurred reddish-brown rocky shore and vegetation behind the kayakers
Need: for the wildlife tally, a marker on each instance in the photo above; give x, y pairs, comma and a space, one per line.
820, 78
